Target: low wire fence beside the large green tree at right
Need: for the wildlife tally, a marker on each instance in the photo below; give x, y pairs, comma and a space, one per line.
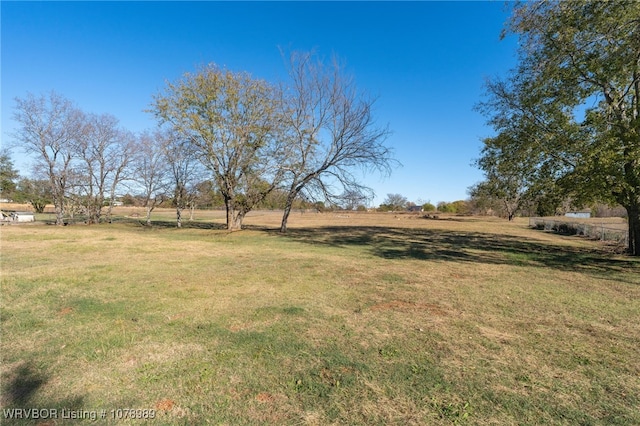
592, 230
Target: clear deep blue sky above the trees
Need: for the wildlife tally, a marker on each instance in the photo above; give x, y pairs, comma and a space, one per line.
425, 61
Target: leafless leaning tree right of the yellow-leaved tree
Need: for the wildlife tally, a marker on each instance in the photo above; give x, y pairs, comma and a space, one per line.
332, 134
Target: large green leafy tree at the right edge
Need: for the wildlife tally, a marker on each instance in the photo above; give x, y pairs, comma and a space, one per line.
570, 111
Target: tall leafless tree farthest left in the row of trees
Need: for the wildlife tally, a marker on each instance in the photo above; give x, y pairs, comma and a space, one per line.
50, 126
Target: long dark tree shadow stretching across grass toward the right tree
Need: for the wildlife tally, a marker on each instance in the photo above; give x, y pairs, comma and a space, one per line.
476, 247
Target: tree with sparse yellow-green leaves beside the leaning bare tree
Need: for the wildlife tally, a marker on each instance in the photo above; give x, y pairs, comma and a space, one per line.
232, 121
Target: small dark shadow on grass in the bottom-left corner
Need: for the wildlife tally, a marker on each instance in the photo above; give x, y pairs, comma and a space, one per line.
19, 388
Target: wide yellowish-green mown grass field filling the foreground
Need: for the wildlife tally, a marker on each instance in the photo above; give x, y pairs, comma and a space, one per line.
348, 319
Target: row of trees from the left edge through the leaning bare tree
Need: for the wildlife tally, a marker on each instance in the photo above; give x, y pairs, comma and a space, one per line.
223, 137
